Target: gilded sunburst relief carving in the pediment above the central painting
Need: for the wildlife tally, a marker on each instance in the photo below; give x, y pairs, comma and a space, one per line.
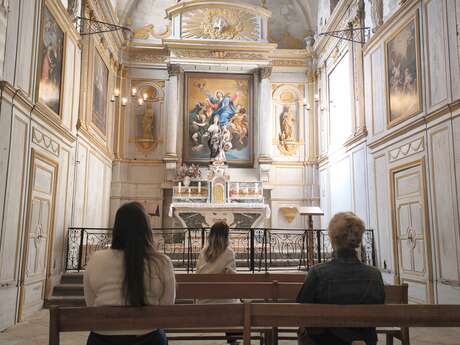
220, 24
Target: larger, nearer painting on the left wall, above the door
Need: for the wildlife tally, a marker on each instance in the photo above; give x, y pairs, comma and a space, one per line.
51, 58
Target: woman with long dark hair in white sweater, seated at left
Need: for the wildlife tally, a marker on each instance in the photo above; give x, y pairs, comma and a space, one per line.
131, 273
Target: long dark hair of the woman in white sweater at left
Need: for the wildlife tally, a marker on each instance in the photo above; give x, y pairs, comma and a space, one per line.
133, 235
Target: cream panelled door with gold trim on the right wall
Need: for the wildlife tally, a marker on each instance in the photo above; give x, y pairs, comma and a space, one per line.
411, 232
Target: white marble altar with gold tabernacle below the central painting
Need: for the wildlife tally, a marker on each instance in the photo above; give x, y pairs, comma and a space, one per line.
200, 203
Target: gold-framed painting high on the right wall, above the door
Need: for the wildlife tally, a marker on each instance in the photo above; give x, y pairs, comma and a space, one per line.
403, 73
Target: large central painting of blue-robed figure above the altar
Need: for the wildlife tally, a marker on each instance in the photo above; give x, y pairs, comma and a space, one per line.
218, 124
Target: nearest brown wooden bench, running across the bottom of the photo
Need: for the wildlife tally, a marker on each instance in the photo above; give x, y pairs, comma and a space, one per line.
248, 316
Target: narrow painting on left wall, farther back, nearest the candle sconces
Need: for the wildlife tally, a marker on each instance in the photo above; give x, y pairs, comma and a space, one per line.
101, 74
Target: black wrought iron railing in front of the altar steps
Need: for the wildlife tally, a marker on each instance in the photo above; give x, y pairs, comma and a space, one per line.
258, 249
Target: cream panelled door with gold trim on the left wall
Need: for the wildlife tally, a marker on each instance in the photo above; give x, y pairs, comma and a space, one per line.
38, 236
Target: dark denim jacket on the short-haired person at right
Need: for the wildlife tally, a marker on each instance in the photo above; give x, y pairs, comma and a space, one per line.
343, 280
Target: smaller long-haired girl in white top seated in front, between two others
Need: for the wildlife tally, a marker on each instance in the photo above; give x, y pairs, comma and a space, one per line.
217, 258
